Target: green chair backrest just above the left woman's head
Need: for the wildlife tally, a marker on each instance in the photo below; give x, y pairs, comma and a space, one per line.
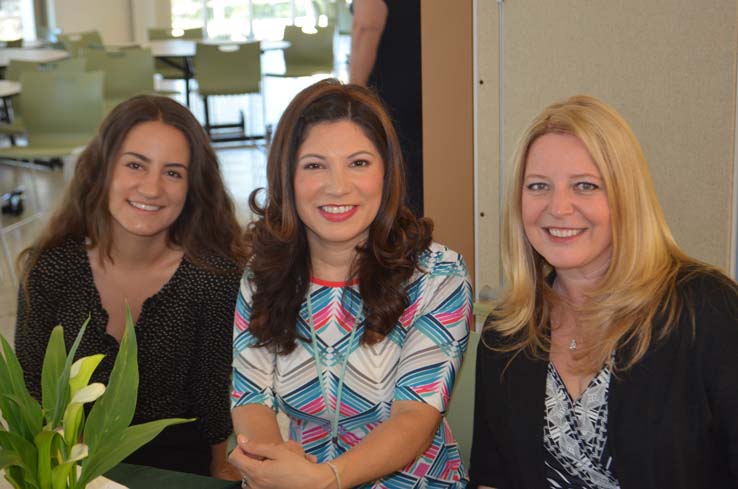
128, 72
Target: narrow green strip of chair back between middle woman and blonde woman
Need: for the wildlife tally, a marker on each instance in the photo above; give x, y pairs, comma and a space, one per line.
460, 412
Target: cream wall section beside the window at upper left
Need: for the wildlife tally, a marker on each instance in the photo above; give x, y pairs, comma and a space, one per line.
111, 17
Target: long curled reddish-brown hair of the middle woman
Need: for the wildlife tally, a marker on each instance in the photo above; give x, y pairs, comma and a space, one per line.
279, 256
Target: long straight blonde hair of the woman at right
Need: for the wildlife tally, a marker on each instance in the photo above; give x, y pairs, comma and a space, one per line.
641, 281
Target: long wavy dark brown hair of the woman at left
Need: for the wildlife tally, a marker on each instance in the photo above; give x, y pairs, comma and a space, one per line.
207, 223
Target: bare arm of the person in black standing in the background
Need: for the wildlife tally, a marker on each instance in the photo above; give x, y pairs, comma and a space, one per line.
370, 17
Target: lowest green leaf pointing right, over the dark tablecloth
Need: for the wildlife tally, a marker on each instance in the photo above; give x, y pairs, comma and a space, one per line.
111, 452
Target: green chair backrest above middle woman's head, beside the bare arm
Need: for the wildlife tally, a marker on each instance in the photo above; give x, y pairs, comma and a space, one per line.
309, 53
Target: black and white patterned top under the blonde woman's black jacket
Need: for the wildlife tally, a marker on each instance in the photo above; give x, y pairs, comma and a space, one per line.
575, 434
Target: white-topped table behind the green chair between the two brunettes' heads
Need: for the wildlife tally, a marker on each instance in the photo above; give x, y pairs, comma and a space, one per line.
179, 53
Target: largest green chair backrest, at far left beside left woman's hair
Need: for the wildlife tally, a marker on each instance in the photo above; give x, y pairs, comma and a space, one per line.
61, 109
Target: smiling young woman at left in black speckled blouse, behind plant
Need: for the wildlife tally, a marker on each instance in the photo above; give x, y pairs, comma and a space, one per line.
146, 222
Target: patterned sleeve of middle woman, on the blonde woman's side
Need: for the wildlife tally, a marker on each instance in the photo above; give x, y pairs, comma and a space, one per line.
437, 329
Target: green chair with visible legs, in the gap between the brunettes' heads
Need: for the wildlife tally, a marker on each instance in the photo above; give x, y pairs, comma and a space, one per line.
228, 69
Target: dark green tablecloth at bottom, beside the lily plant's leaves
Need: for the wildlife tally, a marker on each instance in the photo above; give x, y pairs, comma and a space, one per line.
140, 477
